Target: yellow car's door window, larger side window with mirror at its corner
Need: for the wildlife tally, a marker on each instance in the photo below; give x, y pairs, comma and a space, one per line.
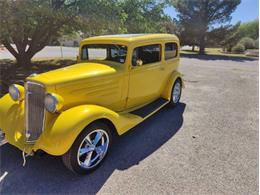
146, 54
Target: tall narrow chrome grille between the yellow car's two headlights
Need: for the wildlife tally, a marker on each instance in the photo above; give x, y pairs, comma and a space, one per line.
34, 108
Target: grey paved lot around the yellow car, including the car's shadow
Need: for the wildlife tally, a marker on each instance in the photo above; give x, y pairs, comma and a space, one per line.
206, 145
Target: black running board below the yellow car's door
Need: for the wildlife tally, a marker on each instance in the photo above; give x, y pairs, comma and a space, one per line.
150, 108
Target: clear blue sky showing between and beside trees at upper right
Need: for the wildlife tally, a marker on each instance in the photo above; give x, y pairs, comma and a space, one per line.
246, 11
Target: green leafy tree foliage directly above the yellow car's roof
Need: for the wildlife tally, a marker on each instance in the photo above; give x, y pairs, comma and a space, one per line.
128, 16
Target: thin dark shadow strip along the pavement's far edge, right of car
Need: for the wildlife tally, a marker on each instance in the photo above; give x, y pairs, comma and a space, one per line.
219, 57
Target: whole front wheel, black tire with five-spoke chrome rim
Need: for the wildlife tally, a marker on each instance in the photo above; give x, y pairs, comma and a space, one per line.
89, 150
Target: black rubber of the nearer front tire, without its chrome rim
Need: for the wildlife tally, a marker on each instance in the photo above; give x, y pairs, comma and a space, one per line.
70, 159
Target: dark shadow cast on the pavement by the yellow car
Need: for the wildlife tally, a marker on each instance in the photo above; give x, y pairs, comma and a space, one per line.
48, 175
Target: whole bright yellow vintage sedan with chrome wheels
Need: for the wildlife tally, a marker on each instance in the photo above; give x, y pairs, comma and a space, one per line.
118, 82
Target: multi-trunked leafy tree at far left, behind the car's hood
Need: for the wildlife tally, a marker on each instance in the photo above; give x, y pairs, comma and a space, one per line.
27, 26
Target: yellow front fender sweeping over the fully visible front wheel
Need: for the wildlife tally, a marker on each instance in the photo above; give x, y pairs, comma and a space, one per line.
62, 130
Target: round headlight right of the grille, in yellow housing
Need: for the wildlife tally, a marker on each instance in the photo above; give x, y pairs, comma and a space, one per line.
53, 102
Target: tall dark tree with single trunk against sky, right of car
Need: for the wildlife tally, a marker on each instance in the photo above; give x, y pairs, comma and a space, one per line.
202, 15
